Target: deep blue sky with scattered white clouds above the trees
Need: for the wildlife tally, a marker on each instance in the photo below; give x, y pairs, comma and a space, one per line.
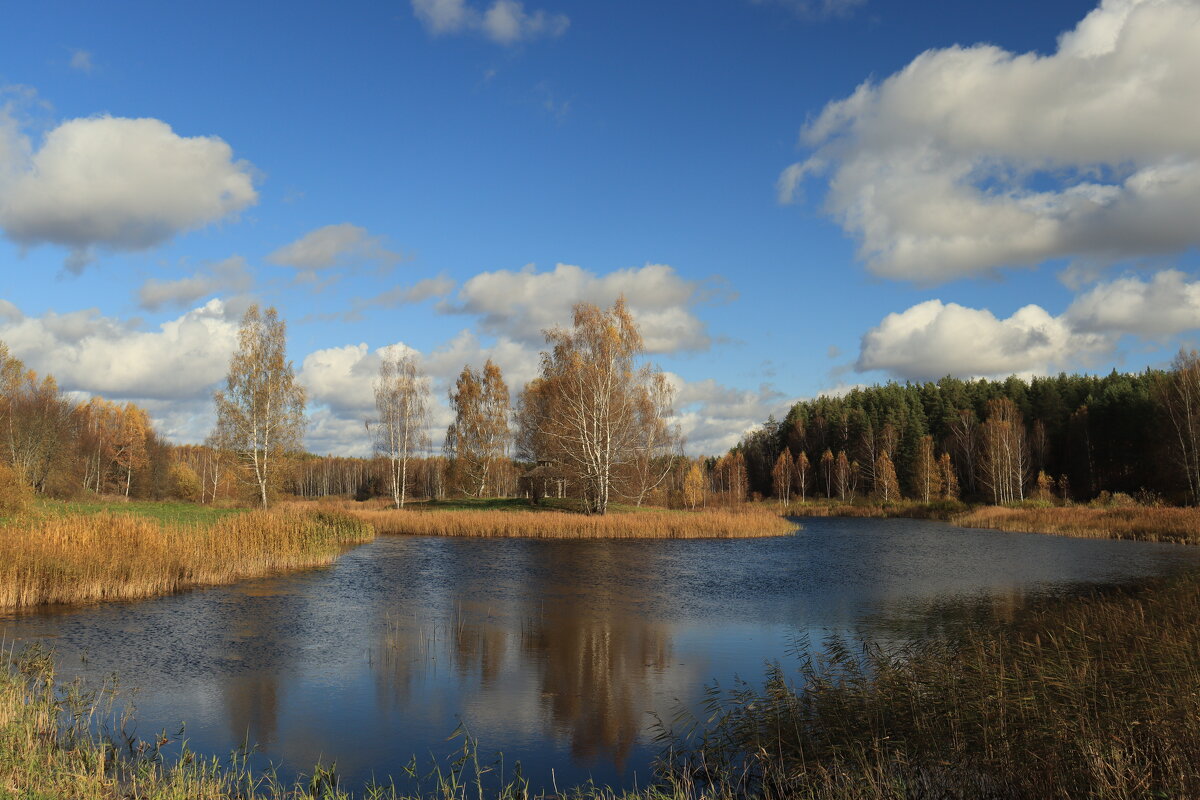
795, 196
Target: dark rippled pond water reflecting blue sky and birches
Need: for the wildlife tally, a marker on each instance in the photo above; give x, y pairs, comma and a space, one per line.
556, 653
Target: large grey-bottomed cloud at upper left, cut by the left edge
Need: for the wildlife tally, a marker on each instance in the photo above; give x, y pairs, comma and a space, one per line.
117, 184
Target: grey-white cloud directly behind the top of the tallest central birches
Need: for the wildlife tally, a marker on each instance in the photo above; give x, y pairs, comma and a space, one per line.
523, 304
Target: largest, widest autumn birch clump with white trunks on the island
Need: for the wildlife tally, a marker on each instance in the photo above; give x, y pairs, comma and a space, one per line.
590, 410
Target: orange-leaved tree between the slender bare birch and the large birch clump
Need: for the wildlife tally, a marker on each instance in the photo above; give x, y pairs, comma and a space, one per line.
479, 436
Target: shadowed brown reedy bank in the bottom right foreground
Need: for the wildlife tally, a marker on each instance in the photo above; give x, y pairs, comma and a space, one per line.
1081, 699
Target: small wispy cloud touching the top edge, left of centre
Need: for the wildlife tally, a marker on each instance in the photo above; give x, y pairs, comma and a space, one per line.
506, 22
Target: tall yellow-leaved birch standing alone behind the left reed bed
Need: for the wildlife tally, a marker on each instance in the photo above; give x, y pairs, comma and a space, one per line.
261, 411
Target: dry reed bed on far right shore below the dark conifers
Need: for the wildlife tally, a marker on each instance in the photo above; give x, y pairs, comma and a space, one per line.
1144, 524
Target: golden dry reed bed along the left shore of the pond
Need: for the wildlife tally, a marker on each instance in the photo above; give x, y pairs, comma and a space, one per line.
117, 557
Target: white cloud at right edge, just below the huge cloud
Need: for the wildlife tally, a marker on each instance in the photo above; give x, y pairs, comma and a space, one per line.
1166, 305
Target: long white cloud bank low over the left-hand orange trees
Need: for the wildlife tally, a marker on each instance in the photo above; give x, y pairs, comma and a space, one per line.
184, 359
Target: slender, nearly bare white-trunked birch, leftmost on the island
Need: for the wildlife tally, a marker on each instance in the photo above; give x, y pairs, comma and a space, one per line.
403, 398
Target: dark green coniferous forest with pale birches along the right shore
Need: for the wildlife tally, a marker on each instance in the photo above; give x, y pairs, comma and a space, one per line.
993, 441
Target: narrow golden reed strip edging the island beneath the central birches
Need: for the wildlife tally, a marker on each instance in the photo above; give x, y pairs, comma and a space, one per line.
561, 525
